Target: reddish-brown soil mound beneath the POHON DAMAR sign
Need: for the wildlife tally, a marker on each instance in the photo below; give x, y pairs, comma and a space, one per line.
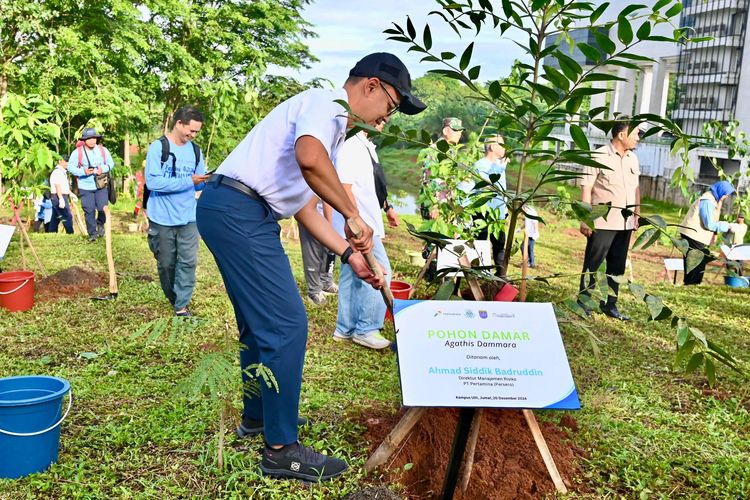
507, 462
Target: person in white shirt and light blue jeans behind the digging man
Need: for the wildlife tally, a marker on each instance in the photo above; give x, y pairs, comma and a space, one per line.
361, 308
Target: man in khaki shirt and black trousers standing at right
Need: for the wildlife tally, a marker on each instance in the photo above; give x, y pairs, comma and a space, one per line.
610, 239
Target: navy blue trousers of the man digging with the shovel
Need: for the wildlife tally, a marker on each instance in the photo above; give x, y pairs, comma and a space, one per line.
243, 237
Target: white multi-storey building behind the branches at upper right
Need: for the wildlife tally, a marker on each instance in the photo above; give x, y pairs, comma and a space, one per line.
706, 81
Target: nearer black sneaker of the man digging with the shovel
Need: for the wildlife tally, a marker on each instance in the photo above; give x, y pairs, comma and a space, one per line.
299, 462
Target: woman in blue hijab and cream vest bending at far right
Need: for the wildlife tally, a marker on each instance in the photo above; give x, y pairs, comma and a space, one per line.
701, 224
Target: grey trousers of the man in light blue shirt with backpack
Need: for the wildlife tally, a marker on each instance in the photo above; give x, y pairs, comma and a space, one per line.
176, 252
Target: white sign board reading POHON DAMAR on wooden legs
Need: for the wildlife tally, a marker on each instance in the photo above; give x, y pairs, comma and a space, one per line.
482, 354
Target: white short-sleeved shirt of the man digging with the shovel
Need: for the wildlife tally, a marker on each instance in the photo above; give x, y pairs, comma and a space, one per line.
265, 159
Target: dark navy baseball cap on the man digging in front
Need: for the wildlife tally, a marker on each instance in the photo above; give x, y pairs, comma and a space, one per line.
389, 69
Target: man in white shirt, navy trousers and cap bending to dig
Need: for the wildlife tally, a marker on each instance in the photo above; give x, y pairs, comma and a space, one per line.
279, 170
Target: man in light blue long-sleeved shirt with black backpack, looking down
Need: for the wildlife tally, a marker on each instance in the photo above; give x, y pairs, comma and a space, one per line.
172, 235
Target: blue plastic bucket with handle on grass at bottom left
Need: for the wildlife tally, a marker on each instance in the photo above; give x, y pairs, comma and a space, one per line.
30, 418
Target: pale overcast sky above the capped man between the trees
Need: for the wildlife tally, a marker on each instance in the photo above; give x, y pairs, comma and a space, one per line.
349, 30
